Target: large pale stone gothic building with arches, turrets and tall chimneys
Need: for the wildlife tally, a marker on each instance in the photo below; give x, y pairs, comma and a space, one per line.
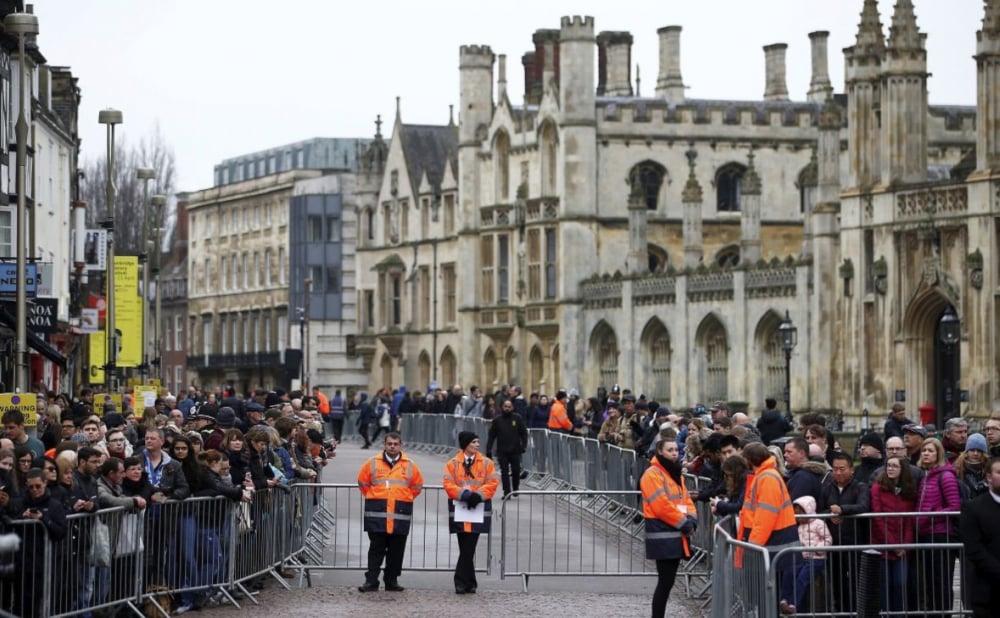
592, 236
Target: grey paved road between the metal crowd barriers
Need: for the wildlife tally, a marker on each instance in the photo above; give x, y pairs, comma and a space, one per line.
431, 592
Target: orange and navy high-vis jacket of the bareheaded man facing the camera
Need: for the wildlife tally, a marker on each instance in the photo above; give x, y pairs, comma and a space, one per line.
389, 492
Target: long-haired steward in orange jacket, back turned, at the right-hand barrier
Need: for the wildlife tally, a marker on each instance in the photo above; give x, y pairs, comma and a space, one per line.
767, 518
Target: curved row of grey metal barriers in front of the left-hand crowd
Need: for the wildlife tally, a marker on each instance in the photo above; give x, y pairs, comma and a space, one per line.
121, 559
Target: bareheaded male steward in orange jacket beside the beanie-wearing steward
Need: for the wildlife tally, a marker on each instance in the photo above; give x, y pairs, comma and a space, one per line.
390, 482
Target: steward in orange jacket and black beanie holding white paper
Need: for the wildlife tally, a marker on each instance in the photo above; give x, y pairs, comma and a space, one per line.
471, 479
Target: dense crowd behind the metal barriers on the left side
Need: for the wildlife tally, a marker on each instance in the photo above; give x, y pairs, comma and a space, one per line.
157, 462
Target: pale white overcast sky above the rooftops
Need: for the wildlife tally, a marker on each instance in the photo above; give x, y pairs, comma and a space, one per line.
227, 77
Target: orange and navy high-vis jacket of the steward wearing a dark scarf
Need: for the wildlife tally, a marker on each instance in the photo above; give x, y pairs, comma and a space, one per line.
665, 505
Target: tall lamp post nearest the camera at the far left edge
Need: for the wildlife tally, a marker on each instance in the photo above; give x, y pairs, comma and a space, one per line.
21, 25
